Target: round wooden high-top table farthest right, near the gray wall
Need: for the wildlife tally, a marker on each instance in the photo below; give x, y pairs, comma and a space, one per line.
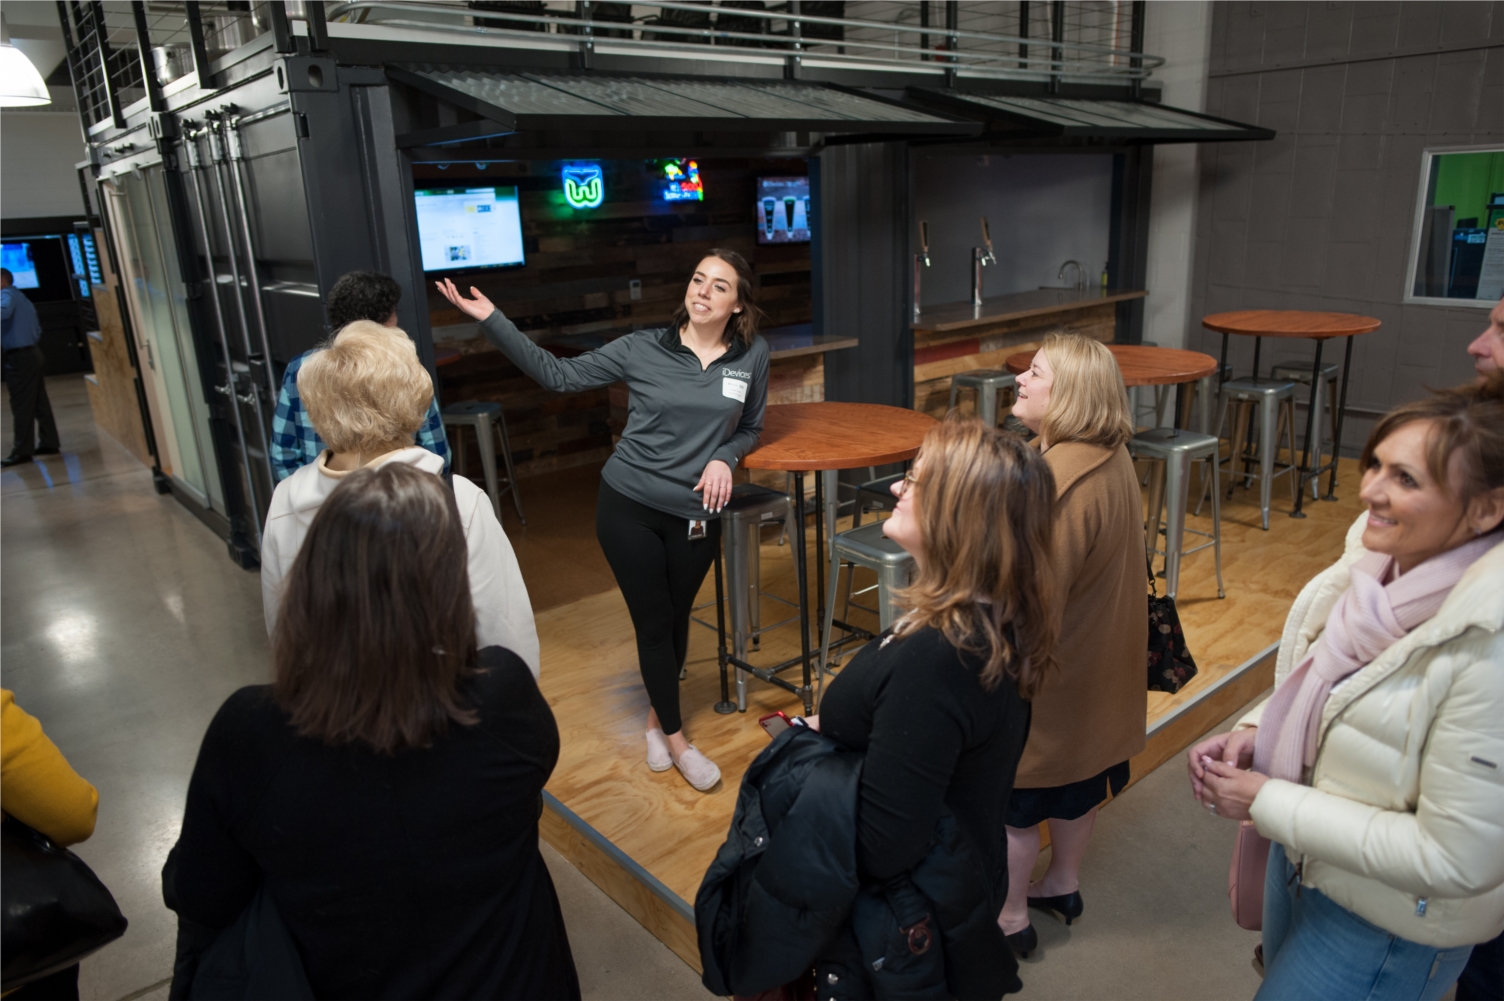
1321, 328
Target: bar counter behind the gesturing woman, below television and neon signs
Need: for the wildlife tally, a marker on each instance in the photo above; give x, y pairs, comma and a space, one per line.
557, 431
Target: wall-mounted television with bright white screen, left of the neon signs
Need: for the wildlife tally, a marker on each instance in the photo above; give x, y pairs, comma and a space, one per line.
470, 229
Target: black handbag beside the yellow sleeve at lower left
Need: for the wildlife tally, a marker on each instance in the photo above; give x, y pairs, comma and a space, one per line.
56, 910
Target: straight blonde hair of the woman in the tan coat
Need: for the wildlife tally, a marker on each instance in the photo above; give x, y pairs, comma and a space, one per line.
1088, 401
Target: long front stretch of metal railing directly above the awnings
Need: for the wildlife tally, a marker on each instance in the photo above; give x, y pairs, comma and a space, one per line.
1076, 43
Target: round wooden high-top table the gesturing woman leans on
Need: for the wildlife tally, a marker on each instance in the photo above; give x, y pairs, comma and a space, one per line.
822, 438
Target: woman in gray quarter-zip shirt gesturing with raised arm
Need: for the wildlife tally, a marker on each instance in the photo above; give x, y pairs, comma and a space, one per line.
699, 392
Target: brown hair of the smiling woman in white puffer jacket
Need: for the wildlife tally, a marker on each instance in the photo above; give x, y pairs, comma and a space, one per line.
1469, 423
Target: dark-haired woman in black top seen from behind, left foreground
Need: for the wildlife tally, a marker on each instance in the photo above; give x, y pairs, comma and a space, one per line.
386, 790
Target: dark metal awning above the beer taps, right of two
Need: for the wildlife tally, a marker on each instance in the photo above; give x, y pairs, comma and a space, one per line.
1087, 118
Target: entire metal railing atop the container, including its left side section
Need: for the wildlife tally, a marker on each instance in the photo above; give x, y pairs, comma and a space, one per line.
121, 50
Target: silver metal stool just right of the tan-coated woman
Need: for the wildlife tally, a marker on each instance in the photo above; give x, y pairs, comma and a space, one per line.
1178, 450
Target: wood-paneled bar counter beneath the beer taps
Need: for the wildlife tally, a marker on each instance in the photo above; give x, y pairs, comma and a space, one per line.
959, 337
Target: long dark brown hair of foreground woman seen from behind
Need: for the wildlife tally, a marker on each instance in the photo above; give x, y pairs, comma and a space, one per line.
377, 628
